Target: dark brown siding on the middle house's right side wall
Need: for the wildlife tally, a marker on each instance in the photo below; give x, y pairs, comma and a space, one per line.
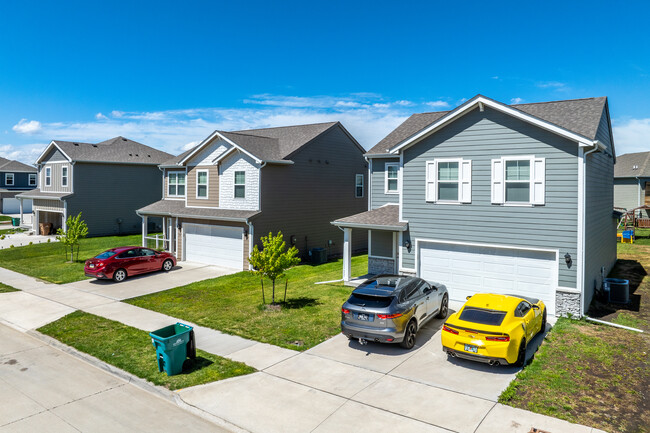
302, 199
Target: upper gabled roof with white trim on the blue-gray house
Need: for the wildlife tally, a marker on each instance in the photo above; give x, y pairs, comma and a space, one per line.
577, 120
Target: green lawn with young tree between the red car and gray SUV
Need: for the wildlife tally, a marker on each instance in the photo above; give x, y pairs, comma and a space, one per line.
233, 304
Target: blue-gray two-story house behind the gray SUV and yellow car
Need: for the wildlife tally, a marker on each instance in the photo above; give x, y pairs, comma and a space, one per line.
490, 197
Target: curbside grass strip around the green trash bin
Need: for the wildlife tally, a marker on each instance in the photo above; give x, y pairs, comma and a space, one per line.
131, 350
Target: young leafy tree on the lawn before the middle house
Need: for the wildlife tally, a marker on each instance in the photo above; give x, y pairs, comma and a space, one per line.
273, 260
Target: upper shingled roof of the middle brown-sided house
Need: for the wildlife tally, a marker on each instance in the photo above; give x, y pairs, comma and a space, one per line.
267, 144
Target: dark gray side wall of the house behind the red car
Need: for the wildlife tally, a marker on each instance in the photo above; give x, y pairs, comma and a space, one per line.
106, 192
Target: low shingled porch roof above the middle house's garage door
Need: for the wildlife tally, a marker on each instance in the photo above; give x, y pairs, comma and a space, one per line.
177, 208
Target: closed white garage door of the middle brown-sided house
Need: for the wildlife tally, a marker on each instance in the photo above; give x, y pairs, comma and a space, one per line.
214, 245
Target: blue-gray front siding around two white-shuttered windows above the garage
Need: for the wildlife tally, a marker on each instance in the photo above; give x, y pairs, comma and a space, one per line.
480, 137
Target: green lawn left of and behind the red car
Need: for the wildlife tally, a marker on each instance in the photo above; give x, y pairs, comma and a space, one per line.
48, 261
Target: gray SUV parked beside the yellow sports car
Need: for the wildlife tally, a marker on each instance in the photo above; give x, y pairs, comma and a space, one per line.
391, 309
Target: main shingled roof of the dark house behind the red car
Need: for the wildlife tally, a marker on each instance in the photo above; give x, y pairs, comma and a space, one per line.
118, 150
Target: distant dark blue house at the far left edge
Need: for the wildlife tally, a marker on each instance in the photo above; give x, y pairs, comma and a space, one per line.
15, 177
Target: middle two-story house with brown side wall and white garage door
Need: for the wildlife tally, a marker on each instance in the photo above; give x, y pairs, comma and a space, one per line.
233, 188
